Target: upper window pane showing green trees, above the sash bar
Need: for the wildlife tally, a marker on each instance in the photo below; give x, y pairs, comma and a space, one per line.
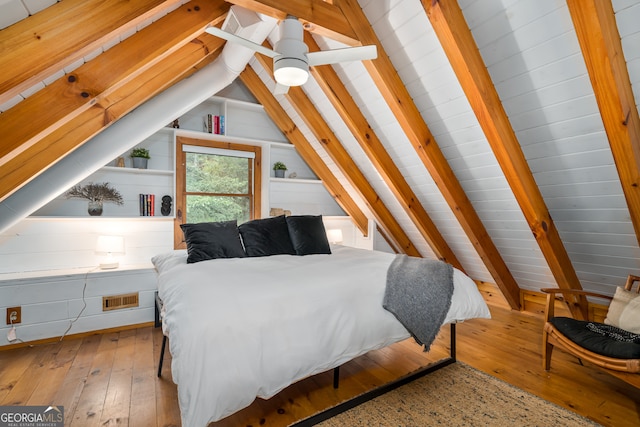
209, 173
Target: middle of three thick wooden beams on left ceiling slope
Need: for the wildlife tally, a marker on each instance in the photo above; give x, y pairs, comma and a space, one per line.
83, 87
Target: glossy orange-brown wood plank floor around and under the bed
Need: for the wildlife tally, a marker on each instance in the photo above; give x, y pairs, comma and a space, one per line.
110, 379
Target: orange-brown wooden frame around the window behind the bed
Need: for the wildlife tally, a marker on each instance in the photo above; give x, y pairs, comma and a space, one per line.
181, 193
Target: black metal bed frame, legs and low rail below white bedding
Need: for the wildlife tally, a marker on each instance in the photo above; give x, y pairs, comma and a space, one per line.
351, 403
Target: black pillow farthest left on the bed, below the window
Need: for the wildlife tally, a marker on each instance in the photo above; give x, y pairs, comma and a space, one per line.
211, 240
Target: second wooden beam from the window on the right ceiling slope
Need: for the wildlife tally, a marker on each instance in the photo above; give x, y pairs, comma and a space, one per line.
323, 133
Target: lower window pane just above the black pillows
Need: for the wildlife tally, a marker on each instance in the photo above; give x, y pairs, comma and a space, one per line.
218, 208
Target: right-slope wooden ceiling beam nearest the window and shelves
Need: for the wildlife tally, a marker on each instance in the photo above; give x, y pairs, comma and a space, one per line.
280, 117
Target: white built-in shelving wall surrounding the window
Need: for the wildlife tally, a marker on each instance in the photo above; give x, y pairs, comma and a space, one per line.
244, 122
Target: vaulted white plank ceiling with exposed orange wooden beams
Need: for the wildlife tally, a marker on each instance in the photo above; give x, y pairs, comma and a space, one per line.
502, 136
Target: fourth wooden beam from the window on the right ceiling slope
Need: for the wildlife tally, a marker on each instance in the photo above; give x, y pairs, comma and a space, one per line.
404, 109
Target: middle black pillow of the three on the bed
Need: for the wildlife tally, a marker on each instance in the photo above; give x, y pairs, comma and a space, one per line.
268, 236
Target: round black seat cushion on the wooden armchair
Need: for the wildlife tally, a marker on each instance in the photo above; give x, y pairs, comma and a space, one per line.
598, 338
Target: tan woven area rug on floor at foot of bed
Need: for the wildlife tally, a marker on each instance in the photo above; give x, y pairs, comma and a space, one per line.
457, 395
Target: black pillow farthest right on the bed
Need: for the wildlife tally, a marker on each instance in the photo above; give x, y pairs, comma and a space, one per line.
308, 235
